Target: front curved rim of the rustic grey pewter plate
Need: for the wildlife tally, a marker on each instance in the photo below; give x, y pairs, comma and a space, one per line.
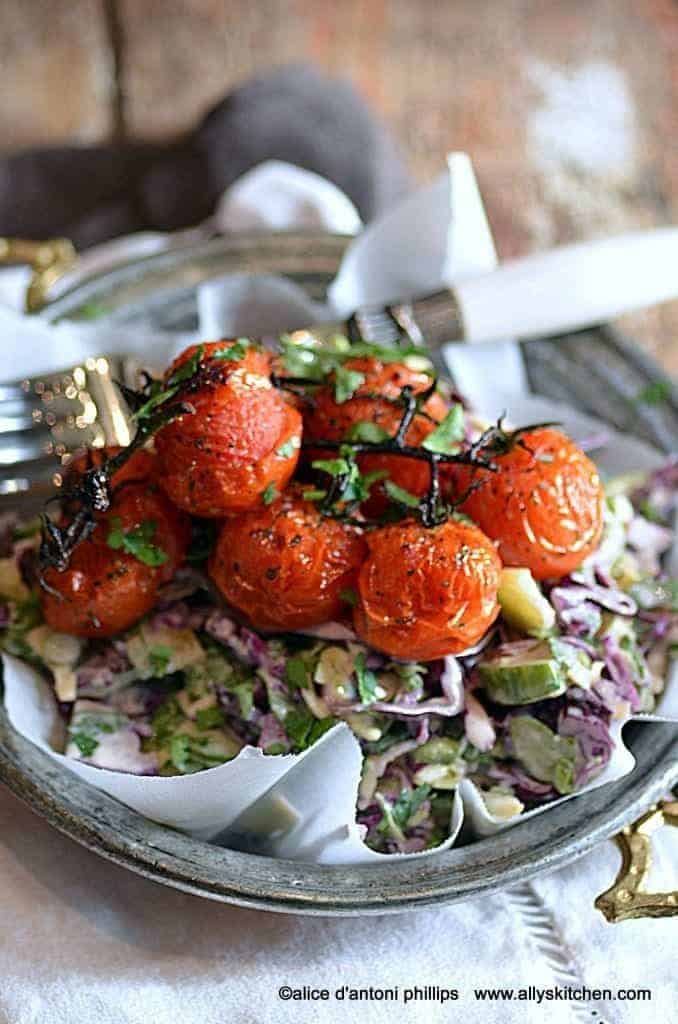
104, 826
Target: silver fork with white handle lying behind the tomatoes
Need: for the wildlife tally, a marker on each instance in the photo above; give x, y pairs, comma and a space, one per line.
564, 290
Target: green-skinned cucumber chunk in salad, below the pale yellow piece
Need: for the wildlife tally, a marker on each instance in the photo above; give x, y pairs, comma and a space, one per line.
532, 674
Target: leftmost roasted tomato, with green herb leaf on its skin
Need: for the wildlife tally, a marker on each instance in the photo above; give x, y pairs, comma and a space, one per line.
107, 588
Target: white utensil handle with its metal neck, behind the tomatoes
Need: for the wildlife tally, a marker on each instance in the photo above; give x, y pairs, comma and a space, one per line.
566, 289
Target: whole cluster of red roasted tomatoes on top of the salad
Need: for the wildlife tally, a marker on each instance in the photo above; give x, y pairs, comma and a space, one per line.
414, 590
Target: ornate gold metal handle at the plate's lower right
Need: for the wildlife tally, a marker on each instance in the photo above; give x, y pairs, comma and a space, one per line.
627, 899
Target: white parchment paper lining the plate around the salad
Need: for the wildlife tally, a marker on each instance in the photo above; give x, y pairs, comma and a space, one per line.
305, 806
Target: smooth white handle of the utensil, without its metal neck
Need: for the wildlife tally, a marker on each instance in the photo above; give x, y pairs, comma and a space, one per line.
571, 287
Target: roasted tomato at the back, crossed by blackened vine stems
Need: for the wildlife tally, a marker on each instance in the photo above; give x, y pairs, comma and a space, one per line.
376, 402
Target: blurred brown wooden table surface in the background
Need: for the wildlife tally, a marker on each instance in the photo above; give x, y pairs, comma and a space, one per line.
569, 108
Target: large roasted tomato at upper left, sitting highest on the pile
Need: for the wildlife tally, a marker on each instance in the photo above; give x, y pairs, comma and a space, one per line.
242, 442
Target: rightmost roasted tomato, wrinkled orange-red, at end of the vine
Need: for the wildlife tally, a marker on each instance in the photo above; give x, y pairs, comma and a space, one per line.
544, 505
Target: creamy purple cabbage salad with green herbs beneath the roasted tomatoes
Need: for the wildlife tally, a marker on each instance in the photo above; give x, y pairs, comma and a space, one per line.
527, 715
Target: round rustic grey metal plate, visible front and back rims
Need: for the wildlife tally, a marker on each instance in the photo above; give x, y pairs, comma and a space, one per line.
597, 371
